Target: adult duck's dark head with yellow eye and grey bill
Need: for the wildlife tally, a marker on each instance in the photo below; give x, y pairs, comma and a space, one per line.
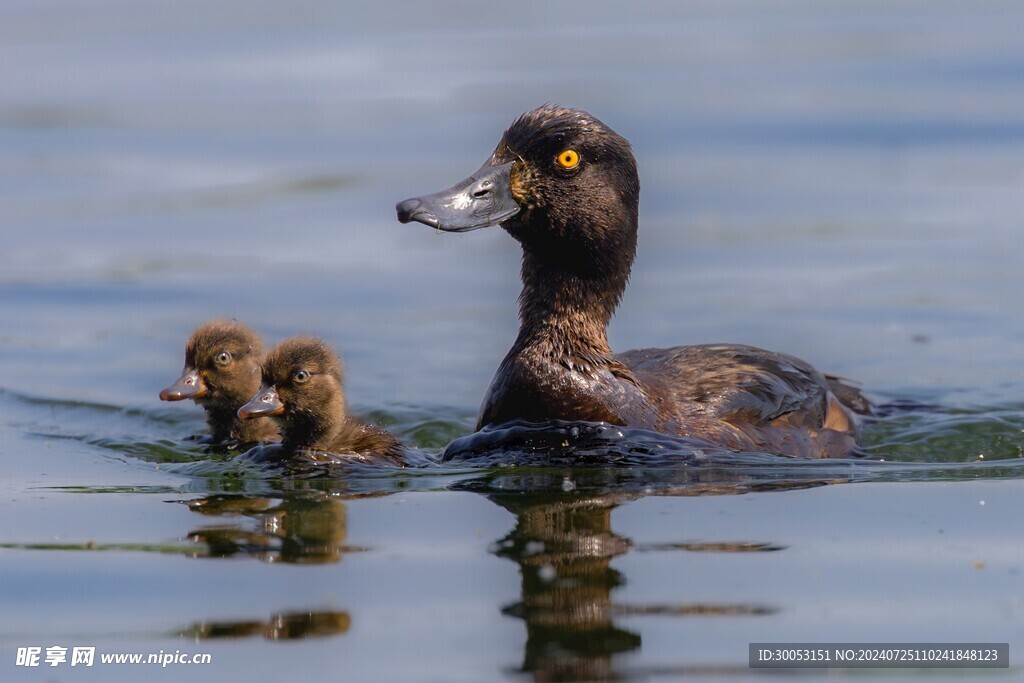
559, 176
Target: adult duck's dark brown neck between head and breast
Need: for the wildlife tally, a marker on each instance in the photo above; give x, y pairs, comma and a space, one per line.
567, 305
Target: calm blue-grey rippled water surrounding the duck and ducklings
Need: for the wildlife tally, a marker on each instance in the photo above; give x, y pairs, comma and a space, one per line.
842, 182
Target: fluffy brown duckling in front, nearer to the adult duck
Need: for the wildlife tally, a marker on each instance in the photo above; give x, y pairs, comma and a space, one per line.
304, 391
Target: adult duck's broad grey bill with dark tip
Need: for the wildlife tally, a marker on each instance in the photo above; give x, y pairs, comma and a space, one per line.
483, 199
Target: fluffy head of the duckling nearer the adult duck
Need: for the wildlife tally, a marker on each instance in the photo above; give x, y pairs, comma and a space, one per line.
303, 381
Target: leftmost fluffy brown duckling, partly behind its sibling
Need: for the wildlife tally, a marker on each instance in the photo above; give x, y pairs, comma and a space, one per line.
222, 373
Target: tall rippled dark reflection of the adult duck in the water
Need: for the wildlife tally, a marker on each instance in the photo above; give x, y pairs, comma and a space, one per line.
565, 545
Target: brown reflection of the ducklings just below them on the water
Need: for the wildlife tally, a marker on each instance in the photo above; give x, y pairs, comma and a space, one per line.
303, 530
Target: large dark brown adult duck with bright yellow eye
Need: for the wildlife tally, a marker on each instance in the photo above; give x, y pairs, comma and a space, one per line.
566, 187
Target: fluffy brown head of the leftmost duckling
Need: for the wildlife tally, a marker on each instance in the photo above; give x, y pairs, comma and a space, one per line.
223, 366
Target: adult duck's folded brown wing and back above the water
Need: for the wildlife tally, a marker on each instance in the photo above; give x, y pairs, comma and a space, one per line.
770, 398
